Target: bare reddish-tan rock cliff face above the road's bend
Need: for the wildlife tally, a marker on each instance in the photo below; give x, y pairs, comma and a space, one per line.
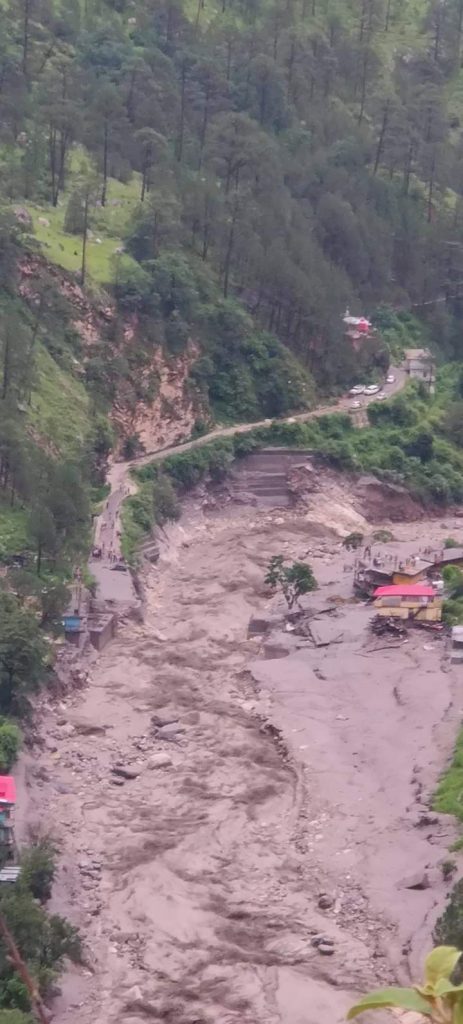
152, 397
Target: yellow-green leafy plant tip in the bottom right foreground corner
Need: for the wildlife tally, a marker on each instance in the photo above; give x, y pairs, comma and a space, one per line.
440, 997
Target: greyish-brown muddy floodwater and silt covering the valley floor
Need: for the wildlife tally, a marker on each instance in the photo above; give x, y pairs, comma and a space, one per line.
250, 860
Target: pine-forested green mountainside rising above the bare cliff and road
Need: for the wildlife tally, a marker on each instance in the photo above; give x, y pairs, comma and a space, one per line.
278, 160
